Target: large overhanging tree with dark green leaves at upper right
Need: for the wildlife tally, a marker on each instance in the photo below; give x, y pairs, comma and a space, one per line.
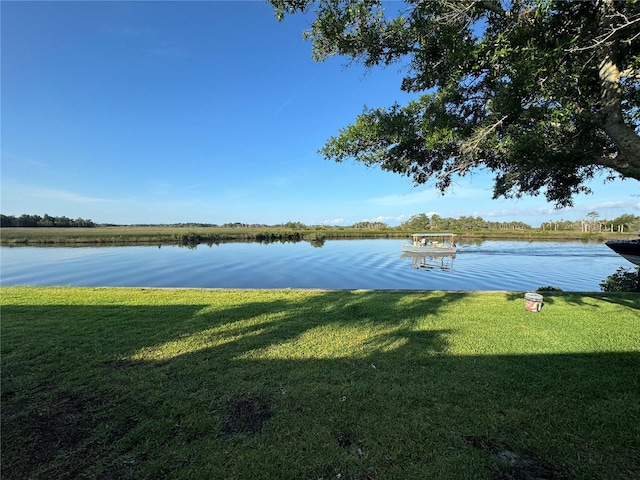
543, 93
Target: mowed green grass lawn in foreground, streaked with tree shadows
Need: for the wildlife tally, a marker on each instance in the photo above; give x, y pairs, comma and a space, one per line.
258, 384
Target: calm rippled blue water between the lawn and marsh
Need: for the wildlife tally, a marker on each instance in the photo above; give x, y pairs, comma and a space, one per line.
338, 264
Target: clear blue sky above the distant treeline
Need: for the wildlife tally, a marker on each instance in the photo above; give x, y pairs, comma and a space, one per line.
167, 112
